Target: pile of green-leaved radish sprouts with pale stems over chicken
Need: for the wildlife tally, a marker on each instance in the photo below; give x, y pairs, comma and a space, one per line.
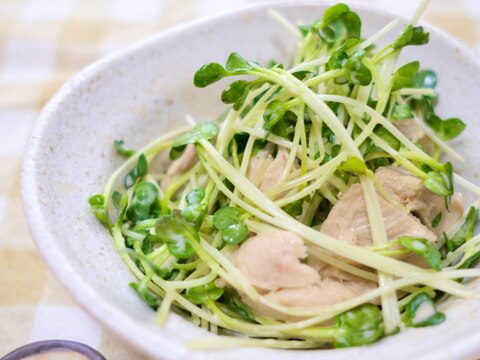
334, 111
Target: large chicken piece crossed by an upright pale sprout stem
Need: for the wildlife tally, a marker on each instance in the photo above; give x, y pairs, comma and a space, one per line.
348, 220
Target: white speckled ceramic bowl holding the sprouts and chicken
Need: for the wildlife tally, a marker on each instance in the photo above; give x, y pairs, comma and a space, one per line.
145, 90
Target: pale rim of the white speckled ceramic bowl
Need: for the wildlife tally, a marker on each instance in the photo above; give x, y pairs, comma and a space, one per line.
65, 273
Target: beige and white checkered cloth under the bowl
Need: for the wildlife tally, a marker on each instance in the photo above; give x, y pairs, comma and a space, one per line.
42, 44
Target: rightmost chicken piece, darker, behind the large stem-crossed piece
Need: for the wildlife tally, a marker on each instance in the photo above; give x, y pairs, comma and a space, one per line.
420, 201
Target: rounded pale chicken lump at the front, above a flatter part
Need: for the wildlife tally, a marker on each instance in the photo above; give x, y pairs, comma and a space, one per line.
272, 261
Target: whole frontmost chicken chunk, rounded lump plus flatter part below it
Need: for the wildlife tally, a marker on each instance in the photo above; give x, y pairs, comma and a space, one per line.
271, 261
